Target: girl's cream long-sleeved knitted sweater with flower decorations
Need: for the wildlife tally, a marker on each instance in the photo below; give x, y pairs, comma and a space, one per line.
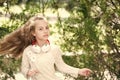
45, 63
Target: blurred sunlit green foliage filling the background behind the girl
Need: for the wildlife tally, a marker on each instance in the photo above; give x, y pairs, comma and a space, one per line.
93, 27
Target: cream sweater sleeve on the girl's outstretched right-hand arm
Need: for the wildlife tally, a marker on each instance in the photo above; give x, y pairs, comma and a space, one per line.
62, 66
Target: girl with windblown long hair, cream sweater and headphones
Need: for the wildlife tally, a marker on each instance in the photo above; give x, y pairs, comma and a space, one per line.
40, 59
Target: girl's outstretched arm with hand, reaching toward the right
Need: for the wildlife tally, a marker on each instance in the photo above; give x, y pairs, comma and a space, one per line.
63, 67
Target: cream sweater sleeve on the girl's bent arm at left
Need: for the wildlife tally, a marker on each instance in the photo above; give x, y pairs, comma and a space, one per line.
25, 63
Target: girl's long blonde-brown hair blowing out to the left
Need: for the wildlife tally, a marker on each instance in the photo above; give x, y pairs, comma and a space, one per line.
15, 42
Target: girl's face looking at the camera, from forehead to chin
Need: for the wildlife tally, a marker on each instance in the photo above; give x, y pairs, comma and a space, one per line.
42, 31
